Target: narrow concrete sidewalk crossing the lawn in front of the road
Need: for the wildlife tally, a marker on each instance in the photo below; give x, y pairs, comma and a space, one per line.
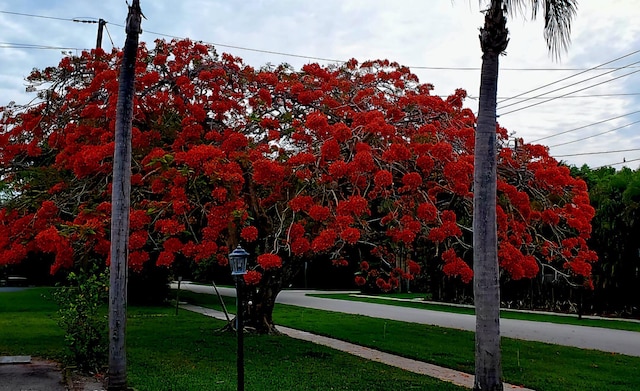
445, 374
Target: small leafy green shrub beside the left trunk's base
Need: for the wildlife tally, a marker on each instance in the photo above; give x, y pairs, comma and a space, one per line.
82, 316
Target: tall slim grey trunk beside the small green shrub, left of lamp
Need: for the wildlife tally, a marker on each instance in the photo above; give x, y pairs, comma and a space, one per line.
120, 201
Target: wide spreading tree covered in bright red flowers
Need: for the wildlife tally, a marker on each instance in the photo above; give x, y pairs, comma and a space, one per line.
351, 163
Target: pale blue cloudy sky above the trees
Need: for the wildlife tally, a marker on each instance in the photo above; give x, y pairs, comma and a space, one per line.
584, 106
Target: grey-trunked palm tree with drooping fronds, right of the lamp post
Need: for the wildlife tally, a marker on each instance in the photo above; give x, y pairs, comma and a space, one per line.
494, 38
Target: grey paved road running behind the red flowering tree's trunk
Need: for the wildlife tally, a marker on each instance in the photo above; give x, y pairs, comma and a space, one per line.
608, 340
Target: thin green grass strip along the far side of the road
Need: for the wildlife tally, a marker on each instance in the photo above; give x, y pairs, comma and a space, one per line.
506, 314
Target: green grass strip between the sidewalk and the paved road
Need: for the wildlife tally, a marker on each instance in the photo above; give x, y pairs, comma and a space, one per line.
540, 366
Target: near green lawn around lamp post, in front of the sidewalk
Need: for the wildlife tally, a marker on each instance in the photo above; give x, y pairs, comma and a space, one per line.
187, 352
